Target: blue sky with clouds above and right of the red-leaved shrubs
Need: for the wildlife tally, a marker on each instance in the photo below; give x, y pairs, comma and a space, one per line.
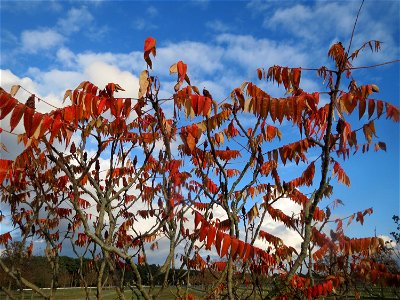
49, 47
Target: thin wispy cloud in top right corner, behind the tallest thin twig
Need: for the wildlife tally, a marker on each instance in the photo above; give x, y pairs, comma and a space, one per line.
322, 24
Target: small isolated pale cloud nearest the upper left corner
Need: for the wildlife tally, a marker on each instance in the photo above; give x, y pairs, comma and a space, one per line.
42, 39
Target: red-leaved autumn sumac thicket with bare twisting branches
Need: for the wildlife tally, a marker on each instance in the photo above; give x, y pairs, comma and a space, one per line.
118, 177
